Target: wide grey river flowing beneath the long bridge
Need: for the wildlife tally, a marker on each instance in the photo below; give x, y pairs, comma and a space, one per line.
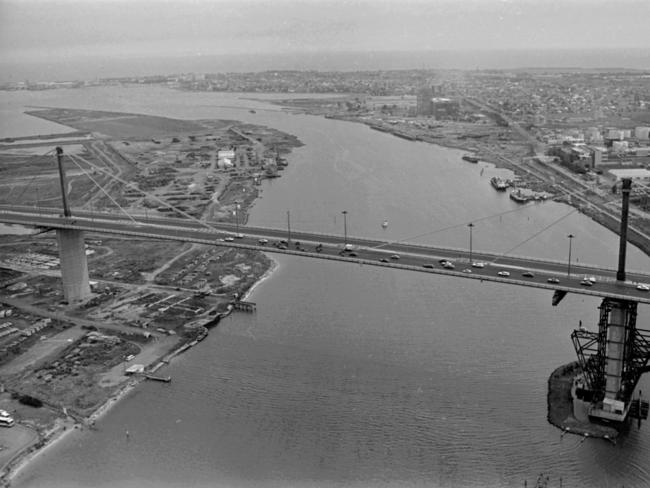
354, 376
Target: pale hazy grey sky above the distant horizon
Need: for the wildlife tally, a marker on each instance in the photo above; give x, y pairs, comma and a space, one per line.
33, 31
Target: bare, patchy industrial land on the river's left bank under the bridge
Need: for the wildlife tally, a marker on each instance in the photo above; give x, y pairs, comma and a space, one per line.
149, 297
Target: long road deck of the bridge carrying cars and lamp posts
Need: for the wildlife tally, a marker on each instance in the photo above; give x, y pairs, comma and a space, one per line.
401, 255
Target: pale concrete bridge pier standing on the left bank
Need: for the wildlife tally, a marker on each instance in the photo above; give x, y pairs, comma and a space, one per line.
74, 265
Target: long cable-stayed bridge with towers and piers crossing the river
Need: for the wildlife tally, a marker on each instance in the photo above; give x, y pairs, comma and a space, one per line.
612, 359
